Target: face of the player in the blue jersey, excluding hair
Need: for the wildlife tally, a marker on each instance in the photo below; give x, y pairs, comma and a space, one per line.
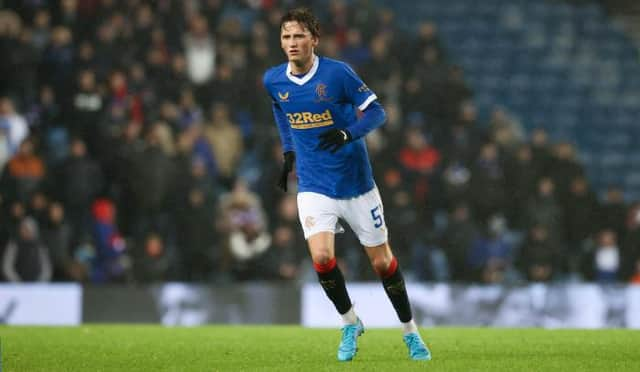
297, 43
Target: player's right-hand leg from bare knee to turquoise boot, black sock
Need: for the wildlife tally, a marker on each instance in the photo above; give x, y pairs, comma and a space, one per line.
386, 266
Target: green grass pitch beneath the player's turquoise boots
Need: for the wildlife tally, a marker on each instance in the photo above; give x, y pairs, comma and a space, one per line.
291, 348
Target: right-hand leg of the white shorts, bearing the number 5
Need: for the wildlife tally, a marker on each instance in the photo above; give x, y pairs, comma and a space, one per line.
365, 215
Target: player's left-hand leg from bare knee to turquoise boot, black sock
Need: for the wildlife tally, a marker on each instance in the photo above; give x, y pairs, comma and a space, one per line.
322, 249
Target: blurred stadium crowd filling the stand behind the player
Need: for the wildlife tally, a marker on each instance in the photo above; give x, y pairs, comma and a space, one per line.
137, 145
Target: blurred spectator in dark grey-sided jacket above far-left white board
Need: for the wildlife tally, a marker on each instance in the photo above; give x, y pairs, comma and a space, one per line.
26, 258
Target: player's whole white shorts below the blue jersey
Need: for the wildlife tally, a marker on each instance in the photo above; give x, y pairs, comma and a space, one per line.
364, 214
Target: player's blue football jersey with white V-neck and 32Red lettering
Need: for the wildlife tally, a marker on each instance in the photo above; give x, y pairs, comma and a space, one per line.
327, 97
